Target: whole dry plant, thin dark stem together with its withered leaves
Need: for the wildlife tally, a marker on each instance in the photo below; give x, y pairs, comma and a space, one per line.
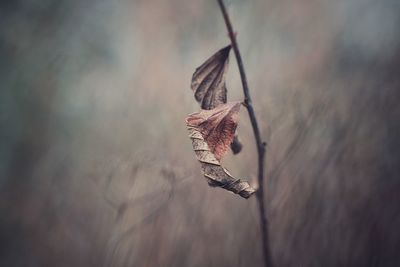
212, 129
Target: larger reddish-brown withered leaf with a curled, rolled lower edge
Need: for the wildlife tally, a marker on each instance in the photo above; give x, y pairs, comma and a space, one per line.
211, 132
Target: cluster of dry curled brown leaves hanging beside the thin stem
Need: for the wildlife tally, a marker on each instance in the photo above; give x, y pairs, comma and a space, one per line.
212, 130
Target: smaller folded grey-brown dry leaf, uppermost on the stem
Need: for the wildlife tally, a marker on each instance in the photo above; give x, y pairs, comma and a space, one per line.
208, 81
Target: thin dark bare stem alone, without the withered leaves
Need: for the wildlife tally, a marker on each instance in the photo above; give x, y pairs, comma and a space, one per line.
261, 146
